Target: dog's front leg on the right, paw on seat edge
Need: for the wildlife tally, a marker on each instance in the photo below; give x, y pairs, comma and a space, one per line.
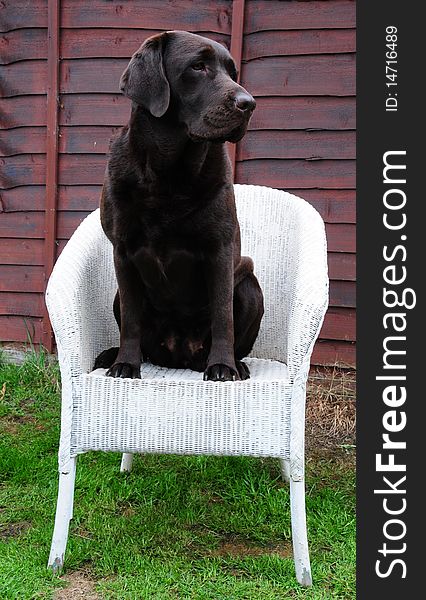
220, 281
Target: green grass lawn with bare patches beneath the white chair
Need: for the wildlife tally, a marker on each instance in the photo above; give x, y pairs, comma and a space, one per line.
175, 527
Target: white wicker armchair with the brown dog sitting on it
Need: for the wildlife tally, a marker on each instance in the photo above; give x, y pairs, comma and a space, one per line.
175, 411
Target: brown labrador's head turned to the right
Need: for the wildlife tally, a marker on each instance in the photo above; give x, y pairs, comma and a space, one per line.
193, 79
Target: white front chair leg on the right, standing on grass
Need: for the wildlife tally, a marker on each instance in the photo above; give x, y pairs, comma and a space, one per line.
300, 537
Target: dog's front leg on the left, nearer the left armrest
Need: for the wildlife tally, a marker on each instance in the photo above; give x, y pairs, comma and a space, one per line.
129, 358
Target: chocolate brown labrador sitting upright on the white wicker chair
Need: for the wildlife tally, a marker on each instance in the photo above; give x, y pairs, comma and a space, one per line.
186, 297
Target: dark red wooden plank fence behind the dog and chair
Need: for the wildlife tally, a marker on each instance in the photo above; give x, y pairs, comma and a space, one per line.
61, 63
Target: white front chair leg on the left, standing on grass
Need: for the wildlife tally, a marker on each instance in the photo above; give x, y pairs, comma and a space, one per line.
64, 513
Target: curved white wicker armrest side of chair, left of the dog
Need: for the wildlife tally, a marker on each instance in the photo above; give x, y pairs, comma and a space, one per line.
78, 297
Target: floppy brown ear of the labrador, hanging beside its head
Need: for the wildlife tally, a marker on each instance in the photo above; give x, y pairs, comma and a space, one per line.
144, 80
